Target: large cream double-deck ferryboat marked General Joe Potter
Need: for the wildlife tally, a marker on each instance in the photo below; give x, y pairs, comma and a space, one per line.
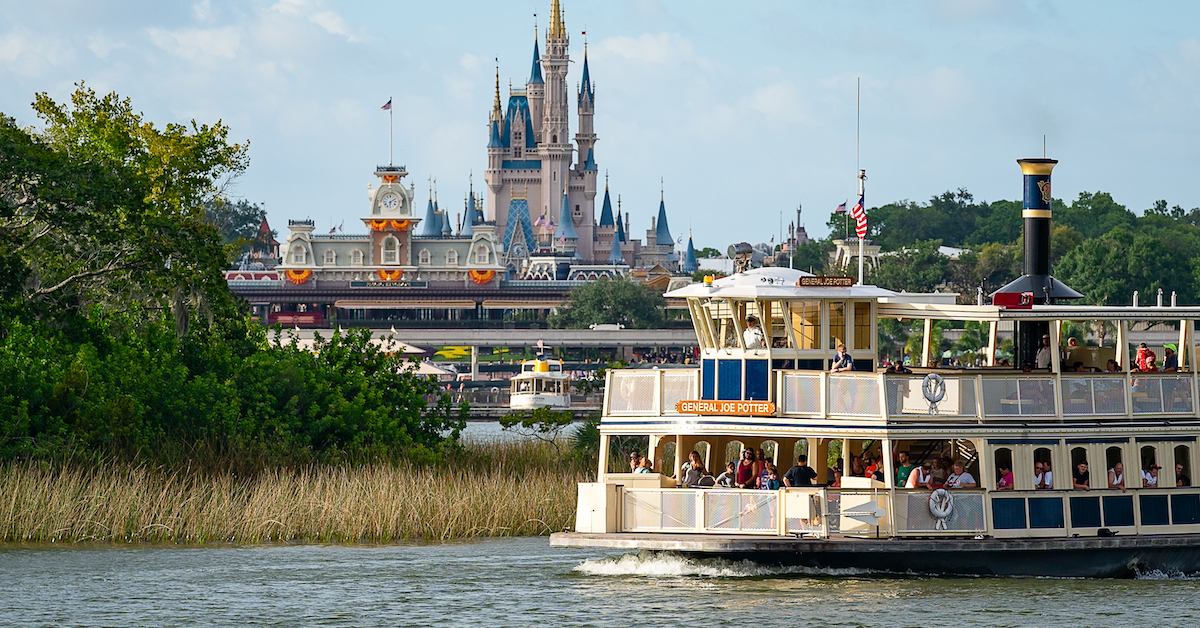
1135, 434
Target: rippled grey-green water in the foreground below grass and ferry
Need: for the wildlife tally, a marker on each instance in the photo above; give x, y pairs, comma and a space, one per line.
525, 583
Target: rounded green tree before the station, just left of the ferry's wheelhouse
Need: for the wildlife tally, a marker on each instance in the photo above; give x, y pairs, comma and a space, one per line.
611, 302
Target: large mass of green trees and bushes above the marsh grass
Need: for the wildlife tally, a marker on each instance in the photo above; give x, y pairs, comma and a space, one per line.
109, 258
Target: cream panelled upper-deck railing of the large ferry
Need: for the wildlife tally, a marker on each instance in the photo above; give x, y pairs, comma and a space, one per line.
965, 396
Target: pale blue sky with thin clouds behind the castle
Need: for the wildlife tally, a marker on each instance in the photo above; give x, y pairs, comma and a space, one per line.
745, 111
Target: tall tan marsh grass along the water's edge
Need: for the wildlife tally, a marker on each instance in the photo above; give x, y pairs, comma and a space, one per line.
489, 489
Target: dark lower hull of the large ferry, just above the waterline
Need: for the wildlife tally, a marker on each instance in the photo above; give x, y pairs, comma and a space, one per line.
1059, 558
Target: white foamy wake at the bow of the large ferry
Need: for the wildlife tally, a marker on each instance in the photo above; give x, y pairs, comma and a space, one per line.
670, 565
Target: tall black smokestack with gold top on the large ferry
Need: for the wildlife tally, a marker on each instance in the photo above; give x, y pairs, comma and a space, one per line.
1036, 286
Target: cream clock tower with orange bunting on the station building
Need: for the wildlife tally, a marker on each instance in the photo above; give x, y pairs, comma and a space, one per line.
392, 220
